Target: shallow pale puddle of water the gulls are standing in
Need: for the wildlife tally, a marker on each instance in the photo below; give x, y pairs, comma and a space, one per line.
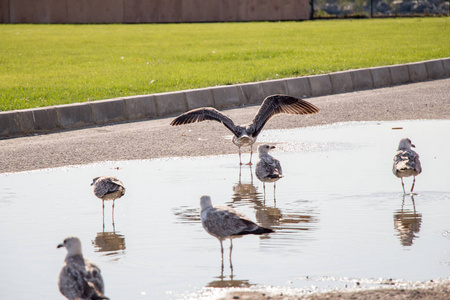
339, 217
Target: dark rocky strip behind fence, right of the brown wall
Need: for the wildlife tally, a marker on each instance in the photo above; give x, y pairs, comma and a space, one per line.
379, 8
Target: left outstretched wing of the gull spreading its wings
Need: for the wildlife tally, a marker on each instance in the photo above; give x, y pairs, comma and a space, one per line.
202, 114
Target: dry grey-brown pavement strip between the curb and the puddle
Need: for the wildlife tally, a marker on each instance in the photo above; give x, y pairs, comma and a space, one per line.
155, 138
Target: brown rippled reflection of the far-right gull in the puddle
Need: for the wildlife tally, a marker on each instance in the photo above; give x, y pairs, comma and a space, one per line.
407, 222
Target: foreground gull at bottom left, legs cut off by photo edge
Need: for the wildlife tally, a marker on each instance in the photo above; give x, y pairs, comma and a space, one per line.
79, 278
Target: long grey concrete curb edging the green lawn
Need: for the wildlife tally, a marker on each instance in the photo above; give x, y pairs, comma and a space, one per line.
79, 115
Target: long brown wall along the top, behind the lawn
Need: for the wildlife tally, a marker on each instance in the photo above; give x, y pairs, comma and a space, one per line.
151, 11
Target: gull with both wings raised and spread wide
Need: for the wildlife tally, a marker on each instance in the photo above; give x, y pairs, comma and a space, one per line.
246, 135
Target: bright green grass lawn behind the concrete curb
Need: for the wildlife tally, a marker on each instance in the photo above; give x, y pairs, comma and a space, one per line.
43, 65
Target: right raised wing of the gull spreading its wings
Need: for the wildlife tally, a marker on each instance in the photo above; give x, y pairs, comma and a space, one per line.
281, 104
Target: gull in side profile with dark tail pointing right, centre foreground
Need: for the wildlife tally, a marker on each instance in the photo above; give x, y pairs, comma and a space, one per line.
223, 222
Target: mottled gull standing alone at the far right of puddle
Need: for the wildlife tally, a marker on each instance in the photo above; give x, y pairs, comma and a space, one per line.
406, 162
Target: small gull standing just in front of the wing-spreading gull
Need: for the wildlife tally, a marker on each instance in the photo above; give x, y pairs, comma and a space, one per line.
268, 169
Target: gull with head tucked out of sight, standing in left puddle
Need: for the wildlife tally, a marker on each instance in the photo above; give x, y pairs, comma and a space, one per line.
108, 188
